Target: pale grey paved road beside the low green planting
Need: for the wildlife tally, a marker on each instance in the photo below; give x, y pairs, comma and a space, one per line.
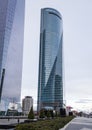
79, 123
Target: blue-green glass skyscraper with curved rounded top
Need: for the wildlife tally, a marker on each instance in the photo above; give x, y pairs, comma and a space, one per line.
50, 84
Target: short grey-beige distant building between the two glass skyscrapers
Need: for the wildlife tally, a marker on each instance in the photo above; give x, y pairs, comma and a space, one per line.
27, 103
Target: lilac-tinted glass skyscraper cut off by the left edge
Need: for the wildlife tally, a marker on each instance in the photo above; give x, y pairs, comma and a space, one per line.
11, 50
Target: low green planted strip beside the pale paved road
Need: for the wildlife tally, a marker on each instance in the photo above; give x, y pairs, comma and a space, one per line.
48, 124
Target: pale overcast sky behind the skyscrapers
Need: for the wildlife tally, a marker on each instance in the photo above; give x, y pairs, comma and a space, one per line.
77, 50
